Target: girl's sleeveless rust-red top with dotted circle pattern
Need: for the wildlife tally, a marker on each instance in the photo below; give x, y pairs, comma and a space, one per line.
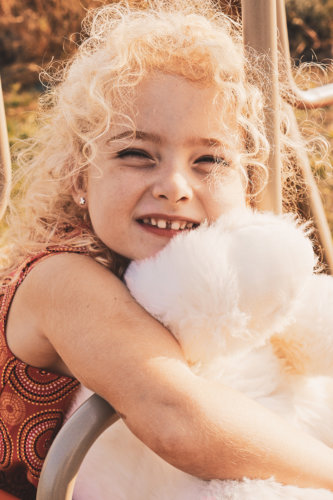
33, 403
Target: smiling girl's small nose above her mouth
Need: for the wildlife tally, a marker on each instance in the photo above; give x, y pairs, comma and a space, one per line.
174, 188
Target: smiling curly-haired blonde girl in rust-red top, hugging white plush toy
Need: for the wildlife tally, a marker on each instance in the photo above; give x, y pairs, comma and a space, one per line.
154, 127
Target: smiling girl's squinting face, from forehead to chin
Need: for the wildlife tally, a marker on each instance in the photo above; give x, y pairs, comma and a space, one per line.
148, 188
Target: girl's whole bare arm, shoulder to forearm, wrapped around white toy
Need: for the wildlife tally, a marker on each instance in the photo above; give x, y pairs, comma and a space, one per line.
72, 314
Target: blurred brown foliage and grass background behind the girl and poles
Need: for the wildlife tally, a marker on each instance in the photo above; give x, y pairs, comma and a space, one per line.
35, 32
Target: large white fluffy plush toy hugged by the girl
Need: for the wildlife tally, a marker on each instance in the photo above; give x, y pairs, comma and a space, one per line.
242, 299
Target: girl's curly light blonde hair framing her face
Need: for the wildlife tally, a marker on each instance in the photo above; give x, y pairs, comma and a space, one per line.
121, 45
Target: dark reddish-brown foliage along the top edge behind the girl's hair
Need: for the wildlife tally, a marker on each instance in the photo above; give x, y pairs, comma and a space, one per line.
36, 30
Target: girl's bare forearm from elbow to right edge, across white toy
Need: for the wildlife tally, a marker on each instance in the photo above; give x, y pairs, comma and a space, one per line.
219, 433
